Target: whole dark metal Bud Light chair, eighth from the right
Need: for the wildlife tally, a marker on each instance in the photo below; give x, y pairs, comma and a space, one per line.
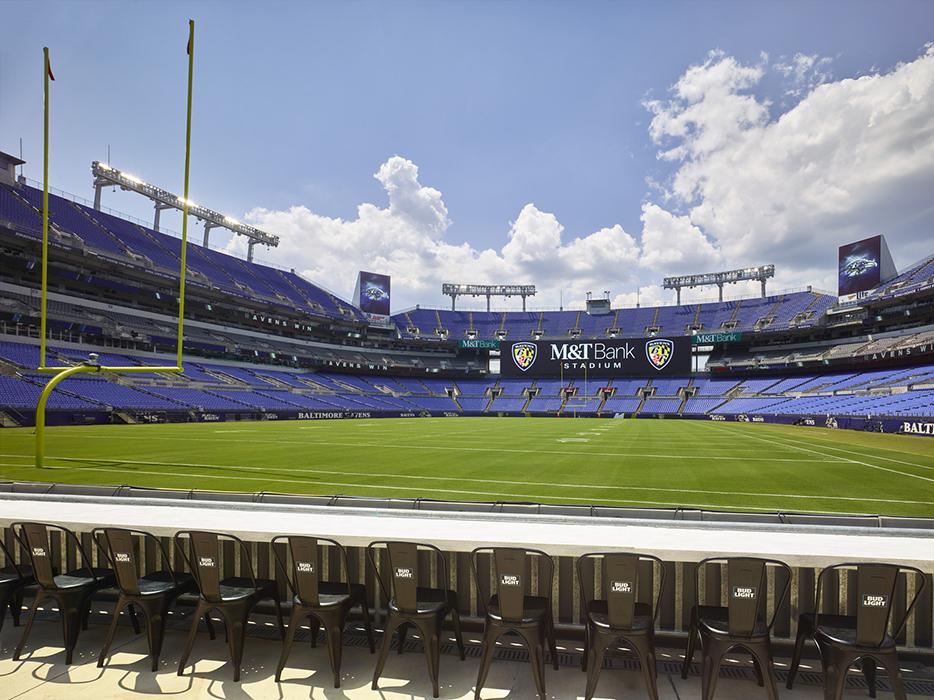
153, 592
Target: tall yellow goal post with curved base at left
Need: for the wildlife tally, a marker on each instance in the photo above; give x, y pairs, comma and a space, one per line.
62, 373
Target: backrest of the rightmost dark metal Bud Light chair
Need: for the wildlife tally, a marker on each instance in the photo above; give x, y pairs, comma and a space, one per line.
875, 596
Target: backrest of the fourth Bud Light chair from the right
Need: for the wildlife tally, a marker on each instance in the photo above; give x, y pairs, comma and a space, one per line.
511, 566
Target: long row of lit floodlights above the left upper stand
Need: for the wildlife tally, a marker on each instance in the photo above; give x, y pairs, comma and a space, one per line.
106, 176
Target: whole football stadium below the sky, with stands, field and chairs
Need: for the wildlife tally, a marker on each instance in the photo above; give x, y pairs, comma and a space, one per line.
703, 494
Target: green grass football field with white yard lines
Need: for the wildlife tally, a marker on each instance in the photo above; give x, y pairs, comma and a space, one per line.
699, 464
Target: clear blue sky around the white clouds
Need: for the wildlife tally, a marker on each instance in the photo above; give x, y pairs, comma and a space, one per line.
498, 104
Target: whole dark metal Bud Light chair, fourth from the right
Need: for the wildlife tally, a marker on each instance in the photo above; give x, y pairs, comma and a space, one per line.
512, 608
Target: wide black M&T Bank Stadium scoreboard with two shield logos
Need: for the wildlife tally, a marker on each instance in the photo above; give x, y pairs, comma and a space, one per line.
634, 357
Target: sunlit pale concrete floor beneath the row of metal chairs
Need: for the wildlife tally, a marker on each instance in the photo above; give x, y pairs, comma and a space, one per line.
41, 673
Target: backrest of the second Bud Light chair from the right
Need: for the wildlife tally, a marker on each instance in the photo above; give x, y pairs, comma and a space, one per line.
747, 591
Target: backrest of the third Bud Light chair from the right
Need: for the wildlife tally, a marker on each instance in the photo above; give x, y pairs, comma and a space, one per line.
620, 584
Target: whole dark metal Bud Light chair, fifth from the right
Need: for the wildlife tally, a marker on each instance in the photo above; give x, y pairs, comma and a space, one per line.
424, 608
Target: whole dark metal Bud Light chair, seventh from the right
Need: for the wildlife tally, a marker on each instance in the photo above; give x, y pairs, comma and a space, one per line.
233, 597
